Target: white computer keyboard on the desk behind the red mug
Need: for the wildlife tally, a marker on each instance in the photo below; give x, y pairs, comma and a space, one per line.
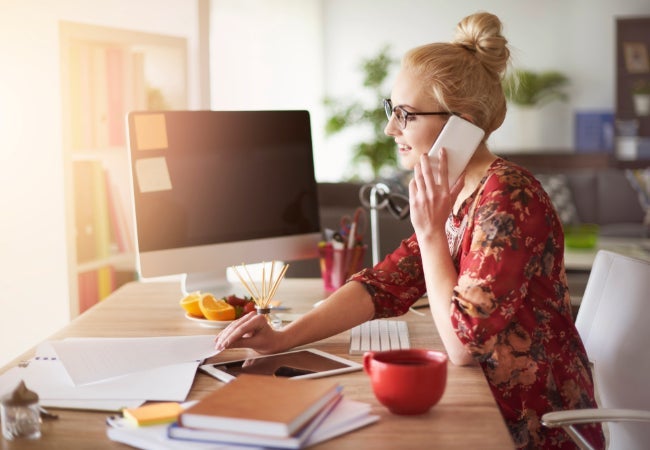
379, 335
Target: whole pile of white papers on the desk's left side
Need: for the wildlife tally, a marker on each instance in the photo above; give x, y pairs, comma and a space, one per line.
111, 373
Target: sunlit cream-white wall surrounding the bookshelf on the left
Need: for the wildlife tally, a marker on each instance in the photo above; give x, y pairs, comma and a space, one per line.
33, 259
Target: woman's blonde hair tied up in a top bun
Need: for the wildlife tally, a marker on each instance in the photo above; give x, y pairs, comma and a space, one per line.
465, 75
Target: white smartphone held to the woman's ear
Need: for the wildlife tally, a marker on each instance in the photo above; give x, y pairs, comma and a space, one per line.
460, 138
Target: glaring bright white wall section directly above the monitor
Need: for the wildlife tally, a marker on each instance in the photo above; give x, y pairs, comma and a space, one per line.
269, 55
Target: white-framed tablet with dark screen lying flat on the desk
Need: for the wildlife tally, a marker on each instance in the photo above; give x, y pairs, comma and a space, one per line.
304, 363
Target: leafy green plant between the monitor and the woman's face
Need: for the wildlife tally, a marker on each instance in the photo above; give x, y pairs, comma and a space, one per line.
378, 150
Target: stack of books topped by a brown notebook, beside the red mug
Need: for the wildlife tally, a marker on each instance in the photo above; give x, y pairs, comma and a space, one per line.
260, 410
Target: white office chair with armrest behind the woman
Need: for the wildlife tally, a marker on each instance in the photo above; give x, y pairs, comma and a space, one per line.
613, 322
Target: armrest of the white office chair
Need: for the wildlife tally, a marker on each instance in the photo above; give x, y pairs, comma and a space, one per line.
591, 415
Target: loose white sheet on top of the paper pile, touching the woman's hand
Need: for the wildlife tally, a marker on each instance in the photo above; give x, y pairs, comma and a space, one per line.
89, 360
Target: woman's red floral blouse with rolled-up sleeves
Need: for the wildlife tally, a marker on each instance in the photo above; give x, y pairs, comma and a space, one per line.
511, 306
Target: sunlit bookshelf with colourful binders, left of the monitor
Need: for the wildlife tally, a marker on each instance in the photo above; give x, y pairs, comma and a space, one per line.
105, 73
